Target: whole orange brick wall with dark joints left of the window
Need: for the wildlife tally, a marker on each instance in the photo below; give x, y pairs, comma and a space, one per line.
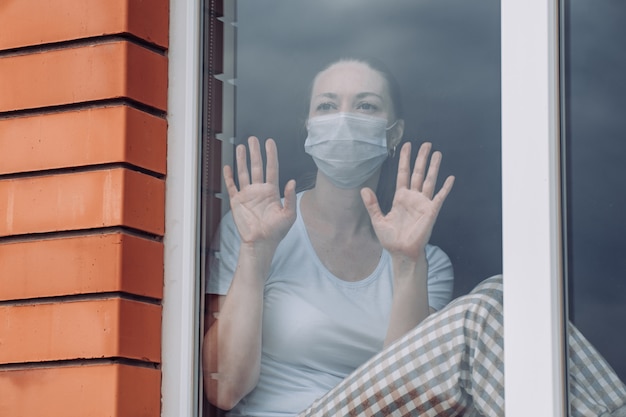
83, 95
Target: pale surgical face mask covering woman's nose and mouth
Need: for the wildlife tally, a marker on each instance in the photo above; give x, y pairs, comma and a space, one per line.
347, 147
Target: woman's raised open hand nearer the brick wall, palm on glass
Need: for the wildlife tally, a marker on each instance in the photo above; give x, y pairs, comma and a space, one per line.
260, 216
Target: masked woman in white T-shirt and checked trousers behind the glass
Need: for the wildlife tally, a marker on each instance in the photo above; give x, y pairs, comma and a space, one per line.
311, 287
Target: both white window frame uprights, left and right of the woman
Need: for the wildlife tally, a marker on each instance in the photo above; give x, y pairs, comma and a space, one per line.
532, 247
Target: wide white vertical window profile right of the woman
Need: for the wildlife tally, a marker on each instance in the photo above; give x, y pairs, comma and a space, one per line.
532, 248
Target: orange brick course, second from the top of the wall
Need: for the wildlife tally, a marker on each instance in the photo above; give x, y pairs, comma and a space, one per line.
81, 74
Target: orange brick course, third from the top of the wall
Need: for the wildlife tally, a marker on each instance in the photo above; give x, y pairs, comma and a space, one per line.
83, 137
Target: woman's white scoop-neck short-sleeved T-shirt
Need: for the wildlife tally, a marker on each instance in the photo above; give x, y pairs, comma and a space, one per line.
317, 328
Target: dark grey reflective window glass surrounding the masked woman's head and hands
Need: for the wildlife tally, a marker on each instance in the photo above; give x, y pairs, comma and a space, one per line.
260, 59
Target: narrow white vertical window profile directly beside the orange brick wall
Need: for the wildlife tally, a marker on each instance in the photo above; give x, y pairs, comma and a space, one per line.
181, 317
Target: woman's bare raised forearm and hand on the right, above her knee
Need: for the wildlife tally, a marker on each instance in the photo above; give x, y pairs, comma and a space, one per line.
405, 231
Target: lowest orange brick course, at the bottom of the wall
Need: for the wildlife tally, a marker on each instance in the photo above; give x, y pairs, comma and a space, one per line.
81, 391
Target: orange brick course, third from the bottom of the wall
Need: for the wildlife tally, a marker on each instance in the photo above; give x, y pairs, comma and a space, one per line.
112, 262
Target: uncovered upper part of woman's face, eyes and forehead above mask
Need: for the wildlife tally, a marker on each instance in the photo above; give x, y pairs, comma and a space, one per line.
351, 87
